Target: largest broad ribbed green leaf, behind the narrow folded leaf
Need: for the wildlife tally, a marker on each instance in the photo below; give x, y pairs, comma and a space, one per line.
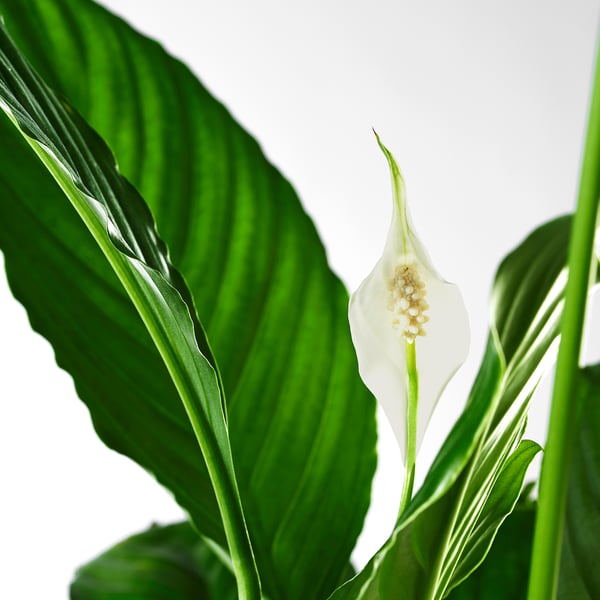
300, 422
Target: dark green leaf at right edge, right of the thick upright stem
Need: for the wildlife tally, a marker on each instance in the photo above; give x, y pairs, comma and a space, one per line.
579, 576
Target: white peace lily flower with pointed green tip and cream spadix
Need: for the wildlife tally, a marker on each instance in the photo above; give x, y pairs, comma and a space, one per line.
405, 311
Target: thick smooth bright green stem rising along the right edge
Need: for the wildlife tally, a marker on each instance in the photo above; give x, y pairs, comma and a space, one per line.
562, 429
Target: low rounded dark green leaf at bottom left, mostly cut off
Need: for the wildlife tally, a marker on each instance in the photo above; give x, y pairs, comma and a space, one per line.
163, 563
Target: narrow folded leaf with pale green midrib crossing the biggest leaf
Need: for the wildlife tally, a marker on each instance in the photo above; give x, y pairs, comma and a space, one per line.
122, 226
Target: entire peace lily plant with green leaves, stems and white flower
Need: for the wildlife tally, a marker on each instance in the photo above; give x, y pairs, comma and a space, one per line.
183, 351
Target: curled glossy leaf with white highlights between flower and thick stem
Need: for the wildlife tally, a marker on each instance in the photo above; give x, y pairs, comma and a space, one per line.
448, 527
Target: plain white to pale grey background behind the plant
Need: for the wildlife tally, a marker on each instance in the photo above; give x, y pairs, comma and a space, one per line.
483, 103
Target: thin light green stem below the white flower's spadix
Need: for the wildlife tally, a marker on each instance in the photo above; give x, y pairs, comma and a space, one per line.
412, 405
